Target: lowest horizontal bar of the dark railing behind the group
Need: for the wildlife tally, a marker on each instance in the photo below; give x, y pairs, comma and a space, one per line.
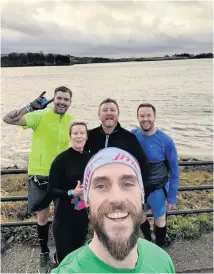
172, 212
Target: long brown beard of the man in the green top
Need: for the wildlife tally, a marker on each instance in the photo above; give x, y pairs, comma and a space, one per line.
120, 247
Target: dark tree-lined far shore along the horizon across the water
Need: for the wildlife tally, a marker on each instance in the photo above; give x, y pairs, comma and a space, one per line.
40, 59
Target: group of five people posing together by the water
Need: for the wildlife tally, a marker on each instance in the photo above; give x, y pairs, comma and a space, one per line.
107, 176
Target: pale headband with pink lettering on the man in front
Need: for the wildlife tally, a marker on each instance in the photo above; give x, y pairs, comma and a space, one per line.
106, 156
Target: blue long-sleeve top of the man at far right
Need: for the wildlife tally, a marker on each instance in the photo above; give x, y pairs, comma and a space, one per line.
163, 158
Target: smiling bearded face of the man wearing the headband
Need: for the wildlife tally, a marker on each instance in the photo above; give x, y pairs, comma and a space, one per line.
115, 202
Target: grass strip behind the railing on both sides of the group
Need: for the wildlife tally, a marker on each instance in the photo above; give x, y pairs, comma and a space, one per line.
184, 226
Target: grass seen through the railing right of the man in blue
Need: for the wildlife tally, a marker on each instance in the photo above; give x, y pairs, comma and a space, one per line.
191, 226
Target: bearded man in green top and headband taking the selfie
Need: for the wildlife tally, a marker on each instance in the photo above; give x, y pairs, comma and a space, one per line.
113, 190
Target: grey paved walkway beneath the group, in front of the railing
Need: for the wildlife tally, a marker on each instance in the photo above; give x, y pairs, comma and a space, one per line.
188, 256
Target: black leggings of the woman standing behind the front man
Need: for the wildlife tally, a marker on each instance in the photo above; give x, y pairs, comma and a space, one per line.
70, 231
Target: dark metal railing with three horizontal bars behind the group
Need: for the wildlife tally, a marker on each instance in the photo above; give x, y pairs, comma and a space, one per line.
172, 212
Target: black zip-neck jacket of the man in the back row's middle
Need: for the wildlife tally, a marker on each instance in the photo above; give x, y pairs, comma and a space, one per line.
121, 138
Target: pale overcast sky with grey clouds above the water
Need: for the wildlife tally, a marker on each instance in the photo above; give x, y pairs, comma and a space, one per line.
107, 28
